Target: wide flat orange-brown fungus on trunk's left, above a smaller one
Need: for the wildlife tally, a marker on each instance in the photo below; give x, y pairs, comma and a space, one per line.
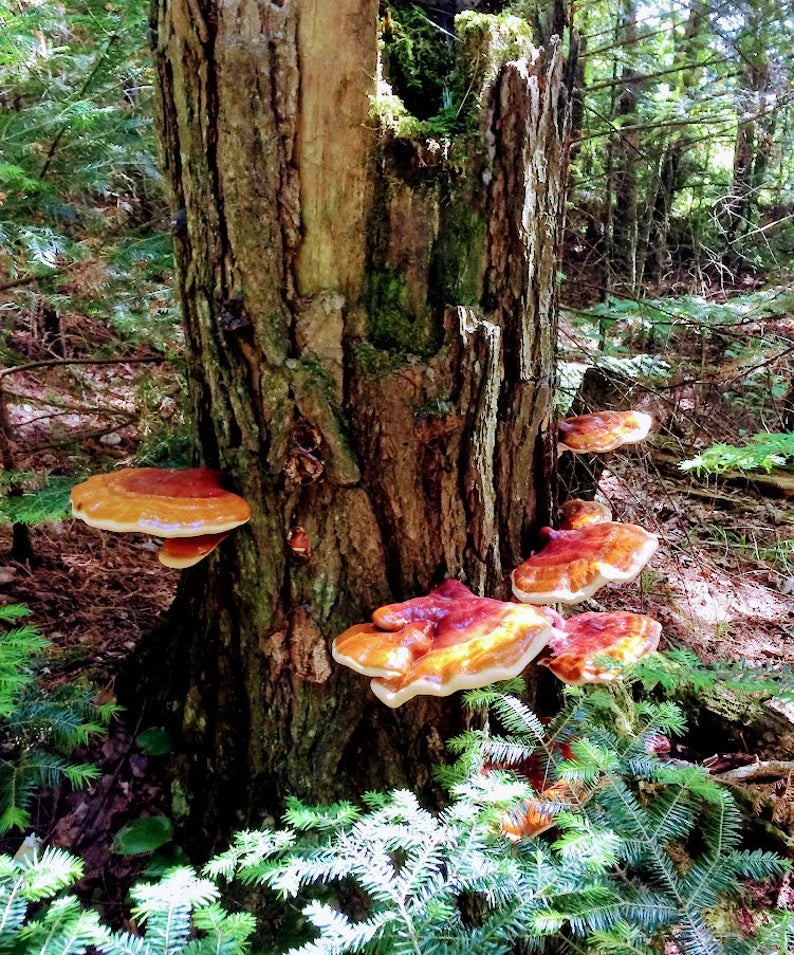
166, 502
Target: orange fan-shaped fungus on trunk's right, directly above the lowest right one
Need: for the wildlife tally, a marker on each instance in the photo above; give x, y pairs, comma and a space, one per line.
573, 565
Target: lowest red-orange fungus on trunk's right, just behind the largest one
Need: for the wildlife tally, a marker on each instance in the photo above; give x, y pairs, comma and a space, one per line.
589, 637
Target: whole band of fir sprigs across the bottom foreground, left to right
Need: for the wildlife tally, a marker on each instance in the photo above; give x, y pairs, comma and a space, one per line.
644, 852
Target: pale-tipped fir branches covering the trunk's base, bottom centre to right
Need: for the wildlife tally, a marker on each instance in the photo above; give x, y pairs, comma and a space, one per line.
645, 851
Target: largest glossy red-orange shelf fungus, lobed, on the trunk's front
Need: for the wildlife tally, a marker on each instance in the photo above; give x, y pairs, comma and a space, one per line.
447, 641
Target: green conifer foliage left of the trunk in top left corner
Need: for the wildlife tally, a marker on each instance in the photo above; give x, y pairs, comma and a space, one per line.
81, 204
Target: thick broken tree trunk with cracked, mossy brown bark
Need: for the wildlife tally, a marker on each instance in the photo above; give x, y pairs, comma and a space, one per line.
370, 350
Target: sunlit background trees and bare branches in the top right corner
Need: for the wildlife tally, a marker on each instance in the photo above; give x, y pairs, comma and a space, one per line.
701, 78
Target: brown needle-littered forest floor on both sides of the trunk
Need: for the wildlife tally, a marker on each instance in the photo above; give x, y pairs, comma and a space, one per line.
722, 582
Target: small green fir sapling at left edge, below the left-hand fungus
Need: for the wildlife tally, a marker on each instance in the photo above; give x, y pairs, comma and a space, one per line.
39, 728
